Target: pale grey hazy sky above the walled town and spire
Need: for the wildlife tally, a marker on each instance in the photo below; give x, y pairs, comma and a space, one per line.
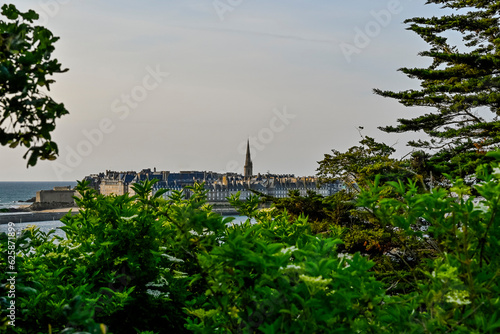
182, 85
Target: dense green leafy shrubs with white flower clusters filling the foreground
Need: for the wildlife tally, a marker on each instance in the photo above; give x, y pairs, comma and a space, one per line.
422, 263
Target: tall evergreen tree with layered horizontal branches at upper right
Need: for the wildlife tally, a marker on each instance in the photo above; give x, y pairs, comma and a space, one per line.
462, 83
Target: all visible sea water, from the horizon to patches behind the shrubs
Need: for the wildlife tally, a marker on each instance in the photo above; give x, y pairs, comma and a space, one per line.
14, 195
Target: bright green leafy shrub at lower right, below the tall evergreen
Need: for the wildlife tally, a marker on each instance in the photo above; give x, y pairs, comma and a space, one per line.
460, 290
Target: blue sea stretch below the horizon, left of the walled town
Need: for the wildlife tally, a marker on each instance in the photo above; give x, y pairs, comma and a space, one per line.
13, 193
